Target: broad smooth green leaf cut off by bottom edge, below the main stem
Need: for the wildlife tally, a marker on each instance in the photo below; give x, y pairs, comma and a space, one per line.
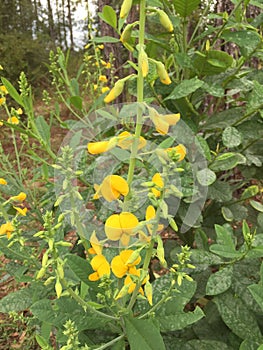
143, 334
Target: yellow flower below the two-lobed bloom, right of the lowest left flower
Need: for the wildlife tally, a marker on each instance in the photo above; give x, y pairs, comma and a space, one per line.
119, 264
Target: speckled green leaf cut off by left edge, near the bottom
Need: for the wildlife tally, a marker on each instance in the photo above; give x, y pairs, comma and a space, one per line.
16, 301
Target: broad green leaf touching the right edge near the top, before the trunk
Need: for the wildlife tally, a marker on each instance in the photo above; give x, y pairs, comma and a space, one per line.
247, 40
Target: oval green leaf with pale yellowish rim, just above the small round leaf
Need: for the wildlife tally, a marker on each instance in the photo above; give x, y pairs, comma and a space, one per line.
227, 161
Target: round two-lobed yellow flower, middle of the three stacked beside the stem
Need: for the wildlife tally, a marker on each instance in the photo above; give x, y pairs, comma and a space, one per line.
121, 227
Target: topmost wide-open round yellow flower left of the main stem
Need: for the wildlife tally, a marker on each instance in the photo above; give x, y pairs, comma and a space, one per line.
112, 187
